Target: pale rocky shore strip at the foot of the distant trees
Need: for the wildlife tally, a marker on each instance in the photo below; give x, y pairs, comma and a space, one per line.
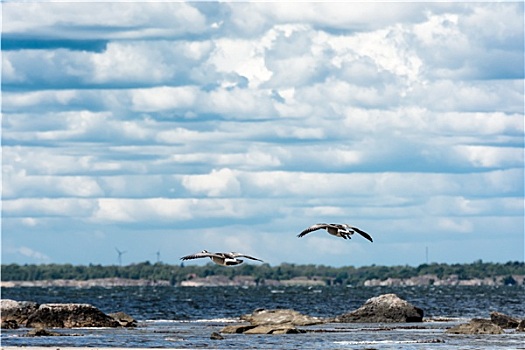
250, 281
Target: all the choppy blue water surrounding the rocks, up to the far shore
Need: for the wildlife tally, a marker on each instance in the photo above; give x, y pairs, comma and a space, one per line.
184, 317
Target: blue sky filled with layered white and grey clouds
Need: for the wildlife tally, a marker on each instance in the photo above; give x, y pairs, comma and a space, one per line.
175, 127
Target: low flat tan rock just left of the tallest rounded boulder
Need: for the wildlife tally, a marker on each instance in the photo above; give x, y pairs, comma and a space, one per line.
280, 316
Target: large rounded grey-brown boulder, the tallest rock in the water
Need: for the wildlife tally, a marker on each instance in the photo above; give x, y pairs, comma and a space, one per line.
383, 308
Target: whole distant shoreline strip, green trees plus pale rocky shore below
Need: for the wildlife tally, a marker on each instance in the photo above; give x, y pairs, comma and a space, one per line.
160, 274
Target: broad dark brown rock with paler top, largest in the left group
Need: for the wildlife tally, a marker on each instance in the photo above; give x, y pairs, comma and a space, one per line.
69, 316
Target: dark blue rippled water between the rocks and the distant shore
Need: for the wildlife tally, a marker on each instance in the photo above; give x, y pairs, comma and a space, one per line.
197, 303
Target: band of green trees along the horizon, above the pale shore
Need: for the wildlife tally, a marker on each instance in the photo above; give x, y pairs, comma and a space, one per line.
348, 275
